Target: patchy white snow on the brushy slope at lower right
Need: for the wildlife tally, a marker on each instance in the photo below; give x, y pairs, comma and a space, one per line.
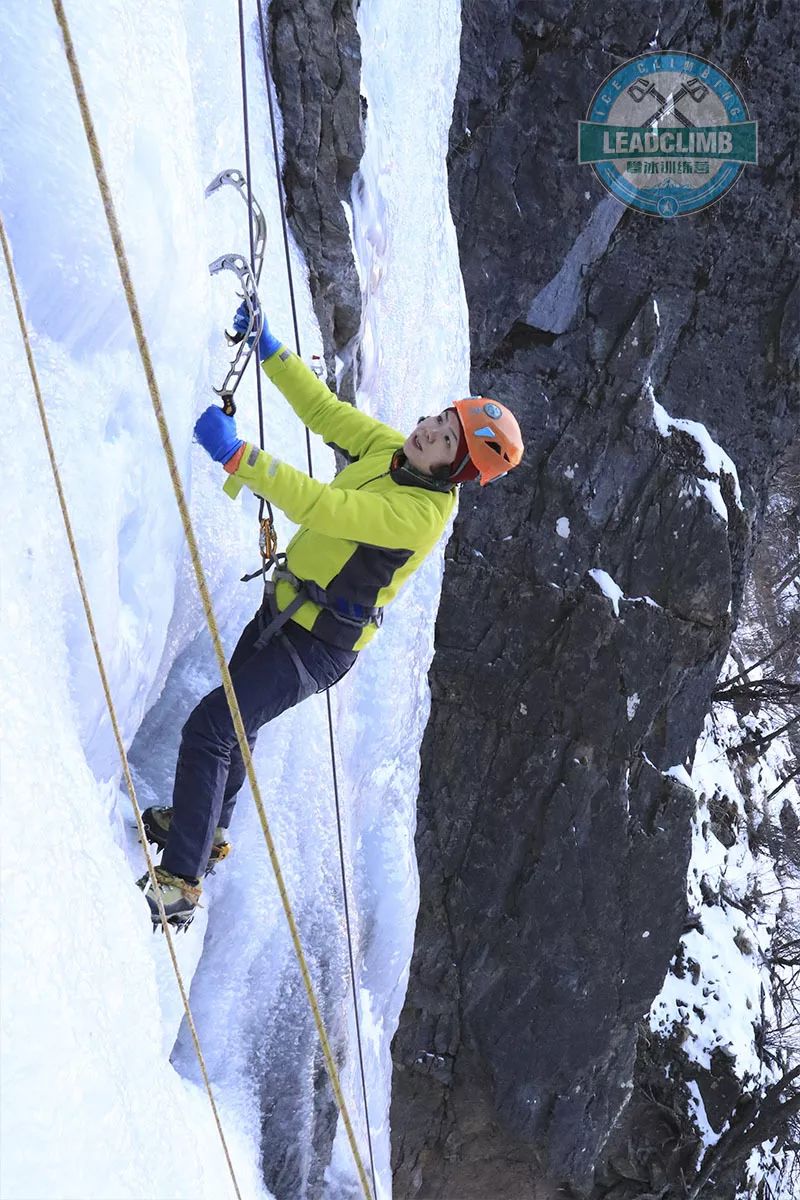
718, 993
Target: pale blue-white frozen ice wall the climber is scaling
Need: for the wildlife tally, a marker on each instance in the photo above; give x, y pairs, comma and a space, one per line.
91, 1010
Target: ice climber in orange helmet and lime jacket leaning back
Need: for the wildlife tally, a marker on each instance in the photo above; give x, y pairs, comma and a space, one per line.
360, 538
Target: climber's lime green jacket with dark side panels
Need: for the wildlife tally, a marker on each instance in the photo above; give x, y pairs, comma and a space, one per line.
364, 535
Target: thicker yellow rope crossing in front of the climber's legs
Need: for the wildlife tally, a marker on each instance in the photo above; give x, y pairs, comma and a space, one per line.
227, 683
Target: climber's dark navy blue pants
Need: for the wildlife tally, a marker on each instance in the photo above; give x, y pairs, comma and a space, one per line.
210, 769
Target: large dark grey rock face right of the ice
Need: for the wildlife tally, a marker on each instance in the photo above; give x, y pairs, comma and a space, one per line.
552, 845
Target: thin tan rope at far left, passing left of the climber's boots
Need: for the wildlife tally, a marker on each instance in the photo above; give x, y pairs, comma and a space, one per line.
107, 692
